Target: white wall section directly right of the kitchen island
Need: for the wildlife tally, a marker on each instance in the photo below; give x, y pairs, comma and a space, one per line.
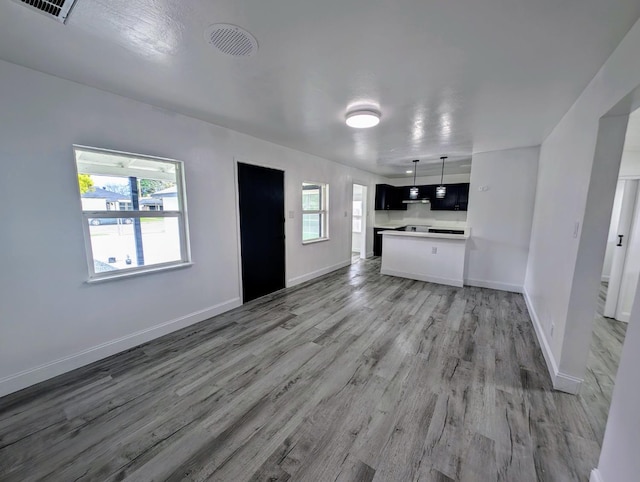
500, 217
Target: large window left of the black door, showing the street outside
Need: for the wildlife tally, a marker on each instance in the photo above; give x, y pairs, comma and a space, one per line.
134, 213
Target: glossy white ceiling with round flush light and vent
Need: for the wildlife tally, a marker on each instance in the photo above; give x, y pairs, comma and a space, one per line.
450, 77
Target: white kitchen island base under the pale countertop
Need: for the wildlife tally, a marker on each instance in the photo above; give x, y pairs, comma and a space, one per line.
437, 258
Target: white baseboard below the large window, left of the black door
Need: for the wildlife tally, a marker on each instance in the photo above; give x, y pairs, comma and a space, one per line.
26, 378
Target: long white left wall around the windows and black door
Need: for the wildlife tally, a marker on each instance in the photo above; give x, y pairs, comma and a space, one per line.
51, 320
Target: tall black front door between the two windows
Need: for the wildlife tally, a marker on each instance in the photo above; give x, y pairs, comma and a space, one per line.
261, 193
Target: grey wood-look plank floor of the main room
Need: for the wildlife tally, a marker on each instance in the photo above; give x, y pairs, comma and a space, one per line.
355, 377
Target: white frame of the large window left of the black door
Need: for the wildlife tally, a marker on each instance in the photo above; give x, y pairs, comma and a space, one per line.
180, 214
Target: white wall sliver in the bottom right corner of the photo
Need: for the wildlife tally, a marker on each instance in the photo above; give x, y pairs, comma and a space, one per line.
619, 461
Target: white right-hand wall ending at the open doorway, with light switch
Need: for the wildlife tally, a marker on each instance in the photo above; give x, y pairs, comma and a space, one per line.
563, 271
